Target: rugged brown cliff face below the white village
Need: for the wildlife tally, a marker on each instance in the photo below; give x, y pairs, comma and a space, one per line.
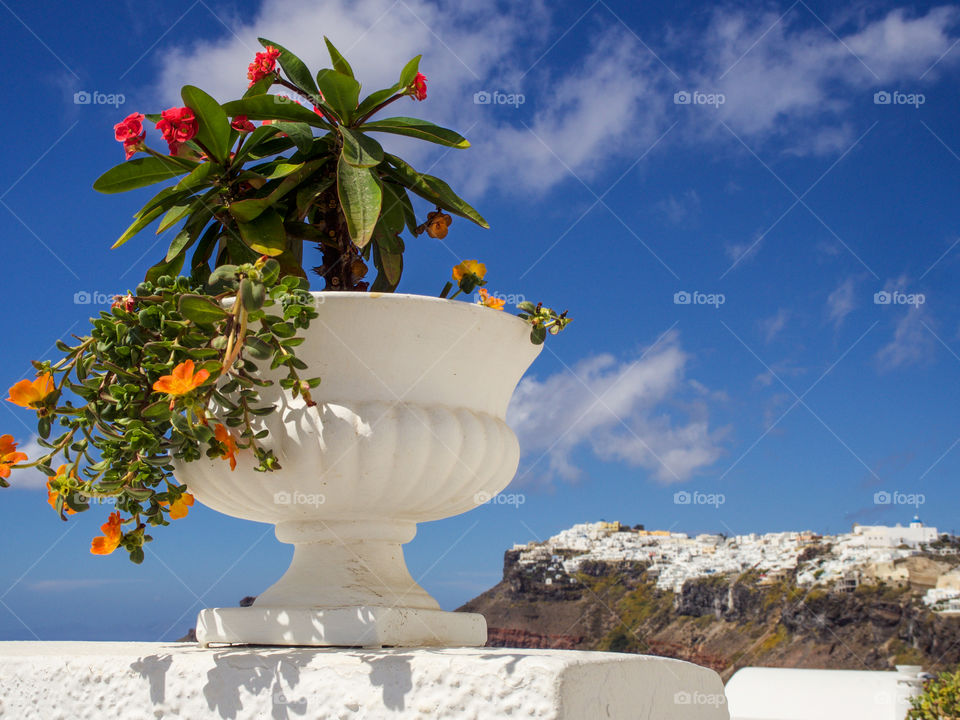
720, 622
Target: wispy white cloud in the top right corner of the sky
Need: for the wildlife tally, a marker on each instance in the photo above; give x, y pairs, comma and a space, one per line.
791, 79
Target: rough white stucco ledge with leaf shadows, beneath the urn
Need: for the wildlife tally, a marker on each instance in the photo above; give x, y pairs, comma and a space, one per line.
79, 680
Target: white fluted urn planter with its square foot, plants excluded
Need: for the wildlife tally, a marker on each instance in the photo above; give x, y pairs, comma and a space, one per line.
408, 427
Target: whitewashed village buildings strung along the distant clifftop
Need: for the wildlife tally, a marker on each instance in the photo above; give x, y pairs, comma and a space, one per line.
895, 555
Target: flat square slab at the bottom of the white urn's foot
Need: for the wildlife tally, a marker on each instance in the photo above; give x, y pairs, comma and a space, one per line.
365, 626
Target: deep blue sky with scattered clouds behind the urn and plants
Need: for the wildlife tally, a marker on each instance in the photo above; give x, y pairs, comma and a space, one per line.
787, 185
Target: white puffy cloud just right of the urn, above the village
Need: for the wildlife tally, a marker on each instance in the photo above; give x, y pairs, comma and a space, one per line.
624, 411
